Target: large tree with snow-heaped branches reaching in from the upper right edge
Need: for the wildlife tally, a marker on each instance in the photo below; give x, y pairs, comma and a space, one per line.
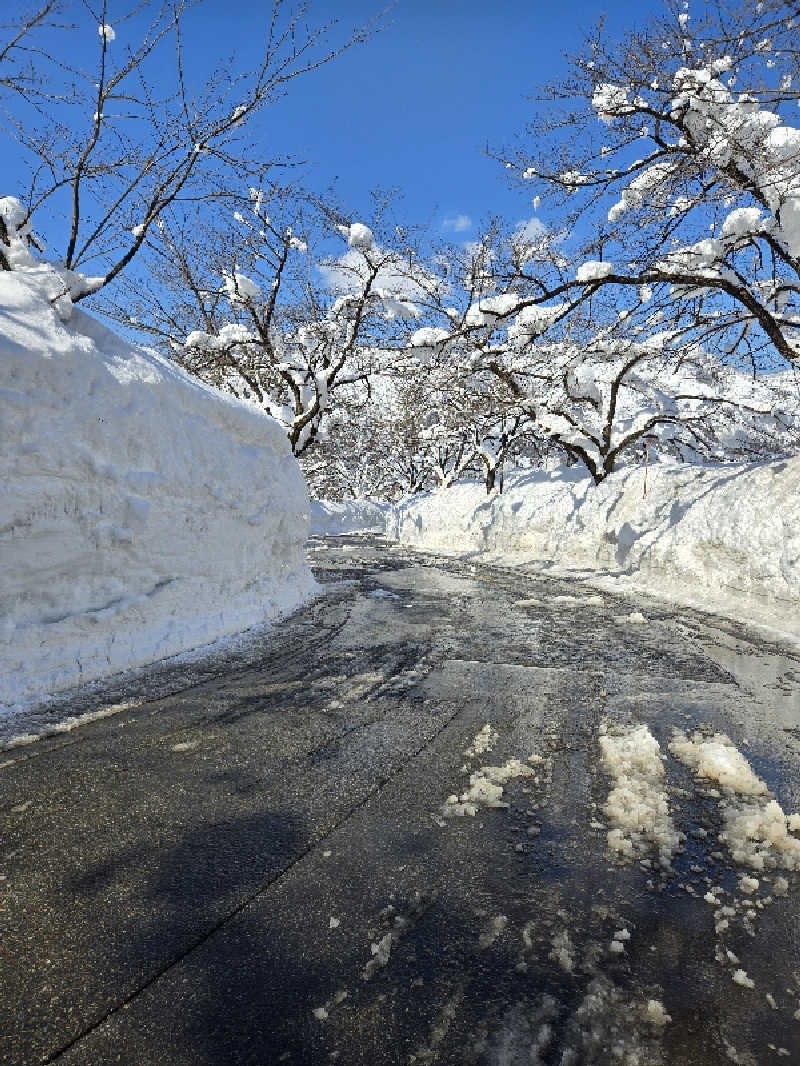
673, 158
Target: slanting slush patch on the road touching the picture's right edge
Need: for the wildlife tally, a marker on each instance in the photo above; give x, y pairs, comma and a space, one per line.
756, 831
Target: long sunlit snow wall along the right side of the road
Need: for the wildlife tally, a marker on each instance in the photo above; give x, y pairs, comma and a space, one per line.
724, 538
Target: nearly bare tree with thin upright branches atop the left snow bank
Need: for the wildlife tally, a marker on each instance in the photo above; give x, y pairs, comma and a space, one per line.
114, 132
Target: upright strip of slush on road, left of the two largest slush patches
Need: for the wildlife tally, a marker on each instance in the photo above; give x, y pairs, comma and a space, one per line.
637, 805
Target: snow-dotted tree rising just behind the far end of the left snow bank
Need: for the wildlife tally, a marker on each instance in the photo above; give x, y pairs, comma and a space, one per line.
286, 305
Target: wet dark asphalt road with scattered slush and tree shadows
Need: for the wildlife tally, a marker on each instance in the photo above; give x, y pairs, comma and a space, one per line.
449, 814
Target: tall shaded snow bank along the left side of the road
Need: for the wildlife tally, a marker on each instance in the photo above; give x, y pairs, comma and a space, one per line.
143, 513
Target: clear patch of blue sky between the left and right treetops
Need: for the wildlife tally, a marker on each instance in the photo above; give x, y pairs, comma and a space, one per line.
415, 107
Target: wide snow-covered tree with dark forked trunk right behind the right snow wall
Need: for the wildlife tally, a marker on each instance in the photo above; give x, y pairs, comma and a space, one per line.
594, 381
